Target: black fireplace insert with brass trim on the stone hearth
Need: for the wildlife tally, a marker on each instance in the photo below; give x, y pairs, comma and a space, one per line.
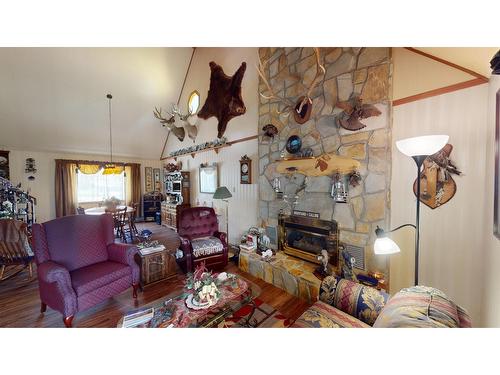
305, 237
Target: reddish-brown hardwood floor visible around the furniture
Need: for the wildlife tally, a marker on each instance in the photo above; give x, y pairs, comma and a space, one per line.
20, 302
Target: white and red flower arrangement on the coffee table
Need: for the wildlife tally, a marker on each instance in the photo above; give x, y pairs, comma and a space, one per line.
205, 286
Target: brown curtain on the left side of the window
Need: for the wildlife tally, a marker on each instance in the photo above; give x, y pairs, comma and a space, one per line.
65, 188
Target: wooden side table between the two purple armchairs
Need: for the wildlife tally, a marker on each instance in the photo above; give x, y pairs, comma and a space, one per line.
156, 266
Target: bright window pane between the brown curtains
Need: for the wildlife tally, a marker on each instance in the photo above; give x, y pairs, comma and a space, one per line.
97, 187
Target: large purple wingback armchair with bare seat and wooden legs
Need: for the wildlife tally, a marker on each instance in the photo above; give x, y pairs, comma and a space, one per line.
79, 265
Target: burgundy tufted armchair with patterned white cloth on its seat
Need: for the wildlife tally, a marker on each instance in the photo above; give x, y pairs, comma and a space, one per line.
201, 240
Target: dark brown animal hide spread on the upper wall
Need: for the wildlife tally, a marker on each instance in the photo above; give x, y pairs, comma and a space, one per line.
224, 99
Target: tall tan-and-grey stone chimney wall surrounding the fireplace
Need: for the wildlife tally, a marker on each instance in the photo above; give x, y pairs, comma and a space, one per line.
363, 72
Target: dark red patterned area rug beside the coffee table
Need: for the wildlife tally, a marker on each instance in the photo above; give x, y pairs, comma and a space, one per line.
265, 316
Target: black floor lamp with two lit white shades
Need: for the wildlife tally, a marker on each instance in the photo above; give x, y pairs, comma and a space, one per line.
418, 148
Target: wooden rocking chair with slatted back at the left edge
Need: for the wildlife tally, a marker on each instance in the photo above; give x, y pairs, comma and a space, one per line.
15, 250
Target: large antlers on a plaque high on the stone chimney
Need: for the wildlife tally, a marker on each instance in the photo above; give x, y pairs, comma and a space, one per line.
302, 108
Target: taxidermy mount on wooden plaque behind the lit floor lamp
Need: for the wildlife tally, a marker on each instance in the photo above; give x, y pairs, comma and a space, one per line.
437, 184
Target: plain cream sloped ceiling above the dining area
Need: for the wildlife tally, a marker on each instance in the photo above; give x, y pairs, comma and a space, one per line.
54, 99
